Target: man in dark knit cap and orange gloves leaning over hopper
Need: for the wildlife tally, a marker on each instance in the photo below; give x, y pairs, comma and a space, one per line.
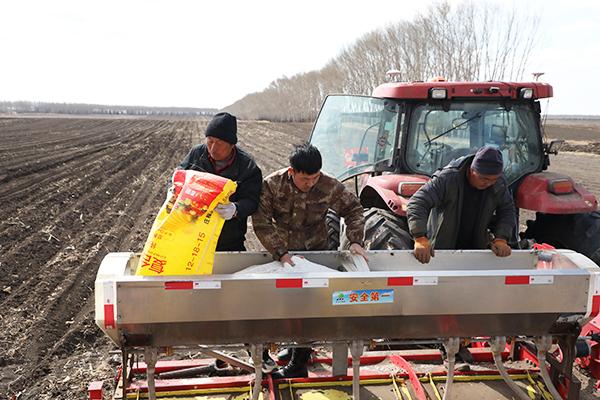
466, 205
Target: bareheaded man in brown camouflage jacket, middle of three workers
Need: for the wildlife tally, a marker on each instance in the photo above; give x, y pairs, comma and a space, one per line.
291, 216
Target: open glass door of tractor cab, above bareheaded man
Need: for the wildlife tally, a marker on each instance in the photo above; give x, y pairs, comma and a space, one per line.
355, 134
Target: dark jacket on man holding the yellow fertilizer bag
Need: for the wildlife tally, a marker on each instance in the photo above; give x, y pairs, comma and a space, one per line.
248, 177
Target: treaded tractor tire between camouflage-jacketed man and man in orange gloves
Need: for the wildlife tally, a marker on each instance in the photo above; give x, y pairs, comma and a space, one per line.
385, 230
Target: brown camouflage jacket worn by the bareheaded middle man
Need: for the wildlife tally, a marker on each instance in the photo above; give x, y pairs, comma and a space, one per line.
288, 219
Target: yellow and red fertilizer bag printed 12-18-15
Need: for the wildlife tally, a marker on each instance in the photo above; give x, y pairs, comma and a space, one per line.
184, 235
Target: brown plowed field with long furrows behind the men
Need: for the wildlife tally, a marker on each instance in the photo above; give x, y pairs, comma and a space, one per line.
74, 189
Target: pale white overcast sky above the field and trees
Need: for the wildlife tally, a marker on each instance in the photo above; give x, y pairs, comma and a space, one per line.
200, 53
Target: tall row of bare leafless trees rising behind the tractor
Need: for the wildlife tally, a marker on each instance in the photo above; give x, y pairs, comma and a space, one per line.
465, 42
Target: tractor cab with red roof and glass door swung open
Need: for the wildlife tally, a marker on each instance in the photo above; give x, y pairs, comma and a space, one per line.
418, 128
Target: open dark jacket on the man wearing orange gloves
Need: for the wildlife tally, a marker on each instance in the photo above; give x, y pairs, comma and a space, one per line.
435, 210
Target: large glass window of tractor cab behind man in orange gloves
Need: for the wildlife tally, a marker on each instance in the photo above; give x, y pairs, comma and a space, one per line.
437, 135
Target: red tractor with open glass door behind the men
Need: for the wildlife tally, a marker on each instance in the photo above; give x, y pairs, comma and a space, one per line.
391, 143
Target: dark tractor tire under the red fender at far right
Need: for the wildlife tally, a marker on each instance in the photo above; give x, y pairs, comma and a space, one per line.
578, 232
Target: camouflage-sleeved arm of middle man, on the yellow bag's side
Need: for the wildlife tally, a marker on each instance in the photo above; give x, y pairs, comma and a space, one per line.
264, 228
